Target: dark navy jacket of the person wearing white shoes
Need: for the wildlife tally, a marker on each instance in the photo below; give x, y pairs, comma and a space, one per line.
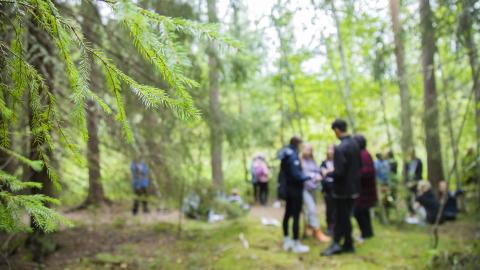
291, 168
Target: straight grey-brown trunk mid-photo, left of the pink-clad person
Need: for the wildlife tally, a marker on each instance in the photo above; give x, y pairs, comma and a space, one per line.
215, 124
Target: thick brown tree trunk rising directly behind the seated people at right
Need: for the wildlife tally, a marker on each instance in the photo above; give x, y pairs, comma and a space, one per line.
432, 138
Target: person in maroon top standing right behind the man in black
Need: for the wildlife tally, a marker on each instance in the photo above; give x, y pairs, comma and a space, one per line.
368, 191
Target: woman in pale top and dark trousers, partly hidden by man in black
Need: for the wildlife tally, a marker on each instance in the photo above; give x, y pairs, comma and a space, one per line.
326, 169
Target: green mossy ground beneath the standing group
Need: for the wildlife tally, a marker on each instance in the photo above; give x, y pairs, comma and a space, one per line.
218, 246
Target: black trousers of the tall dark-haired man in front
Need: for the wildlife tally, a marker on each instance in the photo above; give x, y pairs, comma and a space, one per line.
343, 225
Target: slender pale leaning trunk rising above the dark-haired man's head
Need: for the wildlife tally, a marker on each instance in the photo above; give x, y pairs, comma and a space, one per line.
346, 75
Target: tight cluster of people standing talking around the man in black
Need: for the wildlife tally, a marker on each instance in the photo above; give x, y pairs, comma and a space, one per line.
348, 181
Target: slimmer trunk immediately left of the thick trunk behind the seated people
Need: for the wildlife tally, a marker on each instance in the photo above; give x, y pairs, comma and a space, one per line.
405, 109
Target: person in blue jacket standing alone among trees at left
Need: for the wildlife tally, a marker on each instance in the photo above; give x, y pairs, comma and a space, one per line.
140, 184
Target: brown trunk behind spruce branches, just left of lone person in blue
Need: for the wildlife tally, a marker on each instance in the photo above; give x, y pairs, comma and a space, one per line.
96, 194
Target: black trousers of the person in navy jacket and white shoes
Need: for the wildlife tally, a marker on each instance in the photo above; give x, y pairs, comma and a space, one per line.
293, 209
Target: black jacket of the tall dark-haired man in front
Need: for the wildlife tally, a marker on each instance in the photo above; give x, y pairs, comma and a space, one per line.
347, 169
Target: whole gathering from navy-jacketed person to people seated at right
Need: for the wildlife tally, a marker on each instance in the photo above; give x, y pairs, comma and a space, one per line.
348, 179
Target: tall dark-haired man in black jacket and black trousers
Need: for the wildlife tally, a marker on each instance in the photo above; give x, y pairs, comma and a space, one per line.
346, 186
